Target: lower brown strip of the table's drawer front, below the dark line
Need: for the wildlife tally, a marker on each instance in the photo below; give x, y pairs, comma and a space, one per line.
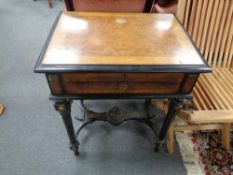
122, 88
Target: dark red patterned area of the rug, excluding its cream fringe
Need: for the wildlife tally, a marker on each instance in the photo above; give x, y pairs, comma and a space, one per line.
214, 158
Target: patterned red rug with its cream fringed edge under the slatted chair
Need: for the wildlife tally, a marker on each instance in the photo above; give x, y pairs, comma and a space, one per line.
203, 154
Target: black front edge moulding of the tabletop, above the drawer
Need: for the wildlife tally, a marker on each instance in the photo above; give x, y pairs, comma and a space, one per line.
121, 68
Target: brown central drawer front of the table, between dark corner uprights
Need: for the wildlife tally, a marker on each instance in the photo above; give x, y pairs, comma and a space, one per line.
121, 83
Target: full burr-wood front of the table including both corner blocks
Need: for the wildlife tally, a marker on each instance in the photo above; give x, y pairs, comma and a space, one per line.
121, 83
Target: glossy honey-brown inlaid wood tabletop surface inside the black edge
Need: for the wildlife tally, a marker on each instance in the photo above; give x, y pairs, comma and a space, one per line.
119, 39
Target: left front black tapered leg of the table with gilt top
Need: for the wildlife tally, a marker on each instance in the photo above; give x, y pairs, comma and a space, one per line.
64, 108
